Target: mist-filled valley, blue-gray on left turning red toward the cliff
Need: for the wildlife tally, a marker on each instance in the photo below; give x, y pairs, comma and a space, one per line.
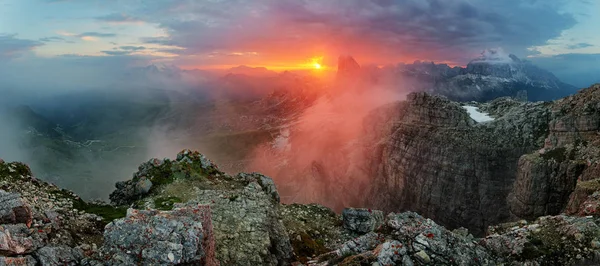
304, 133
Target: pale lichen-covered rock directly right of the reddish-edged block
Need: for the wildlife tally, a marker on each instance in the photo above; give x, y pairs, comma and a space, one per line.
247, 227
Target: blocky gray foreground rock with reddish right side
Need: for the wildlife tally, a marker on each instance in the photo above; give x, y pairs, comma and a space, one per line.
180, 236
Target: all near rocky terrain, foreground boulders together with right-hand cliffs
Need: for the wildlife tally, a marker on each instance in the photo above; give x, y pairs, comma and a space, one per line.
517, 188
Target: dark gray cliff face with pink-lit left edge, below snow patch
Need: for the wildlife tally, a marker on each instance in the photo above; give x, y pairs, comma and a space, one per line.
434, 159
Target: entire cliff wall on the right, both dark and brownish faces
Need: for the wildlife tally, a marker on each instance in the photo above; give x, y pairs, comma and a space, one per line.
432, 158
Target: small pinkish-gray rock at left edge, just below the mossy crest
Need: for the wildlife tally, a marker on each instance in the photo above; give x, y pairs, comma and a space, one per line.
13, 209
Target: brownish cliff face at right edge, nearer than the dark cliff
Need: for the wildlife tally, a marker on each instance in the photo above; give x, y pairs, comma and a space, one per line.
565, 172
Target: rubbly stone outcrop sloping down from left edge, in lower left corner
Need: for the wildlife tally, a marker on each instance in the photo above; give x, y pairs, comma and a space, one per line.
41, 224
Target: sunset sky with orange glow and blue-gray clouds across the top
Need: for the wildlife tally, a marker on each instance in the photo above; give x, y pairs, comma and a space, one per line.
270, 32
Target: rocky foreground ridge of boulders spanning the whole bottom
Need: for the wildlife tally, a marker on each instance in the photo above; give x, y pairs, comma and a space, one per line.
186, 211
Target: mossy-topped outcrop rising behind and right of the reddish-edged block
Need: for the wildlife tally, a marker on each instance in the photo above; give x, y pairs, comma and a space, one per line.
244, 208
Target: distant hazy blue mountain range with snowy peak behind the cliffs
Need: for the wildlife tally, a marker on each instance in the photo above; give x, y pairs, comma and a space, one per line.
494, 74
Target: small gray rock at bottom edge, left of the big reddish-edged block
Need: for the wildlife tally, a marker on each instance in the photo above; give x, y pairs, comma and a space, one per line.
58, 255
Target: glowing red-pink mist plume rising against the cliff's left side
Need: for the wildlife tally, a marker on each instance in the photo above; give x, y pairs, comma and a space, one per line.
319, 157
